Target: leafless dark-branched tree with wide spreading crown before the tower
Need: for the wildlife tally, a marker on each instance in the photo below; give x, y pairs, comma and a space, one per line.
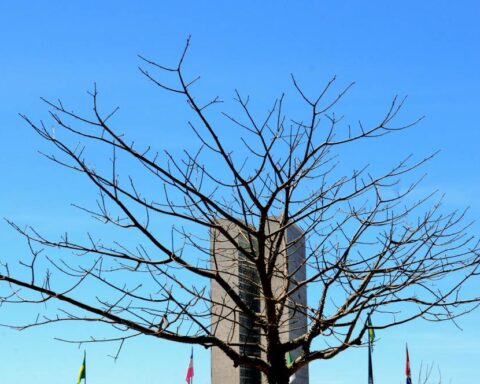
373, 246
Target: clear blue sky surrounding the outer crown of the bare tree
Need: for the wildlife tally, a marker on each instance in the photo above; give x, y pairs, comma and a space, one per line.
426, 49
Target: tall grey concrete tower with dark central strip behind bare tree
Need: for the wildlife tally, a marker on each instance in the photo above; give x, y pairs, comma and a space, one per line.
232, 326
